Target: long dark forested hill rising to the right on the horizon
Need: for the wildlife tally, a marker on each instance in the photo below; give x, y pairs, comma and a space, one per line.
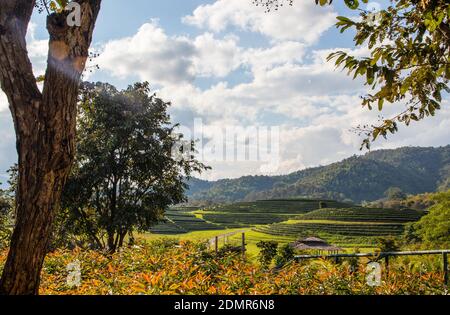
413, 169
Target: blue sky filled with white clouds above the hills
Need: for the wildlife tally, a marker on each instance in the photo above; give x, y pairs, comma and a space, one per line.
228, 63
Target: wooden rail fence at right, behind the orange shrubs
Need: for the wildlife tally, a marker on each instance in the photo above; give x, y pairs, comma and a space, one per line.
385, 256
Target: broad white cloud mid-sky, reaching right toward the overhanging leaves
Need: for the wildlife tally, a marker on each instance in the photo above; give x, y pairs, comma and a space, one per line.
281, 86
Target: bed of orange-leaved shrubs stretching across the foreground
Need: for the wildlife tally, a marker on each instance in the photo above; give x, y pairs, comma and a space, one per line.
168, 267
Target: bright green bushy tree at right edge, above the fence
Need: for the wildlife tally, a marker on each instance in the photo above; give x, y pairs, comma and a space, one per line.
434, 228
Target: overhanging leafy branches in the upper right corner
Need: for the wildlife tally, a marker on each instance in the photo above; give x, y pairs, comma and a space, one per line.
409, 59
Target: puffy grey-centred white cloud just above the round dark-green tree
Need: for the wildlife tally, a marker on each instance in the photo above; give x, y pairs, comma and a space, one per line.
154, 56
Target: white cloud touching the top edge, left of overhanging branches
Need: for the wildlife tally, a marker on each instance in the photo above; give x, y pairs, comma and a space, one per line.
303, 22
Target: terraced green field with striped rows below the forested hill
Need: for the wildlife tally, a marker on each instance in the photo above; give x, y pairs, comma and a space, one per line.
284, 221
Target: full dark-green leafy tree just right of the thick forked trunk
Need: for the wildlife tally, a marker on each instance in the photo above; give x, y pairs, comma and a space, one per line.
127, 171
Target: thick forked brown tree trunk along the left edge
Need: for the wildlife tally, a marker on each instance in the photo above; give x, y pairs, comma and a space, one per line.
45, 125
